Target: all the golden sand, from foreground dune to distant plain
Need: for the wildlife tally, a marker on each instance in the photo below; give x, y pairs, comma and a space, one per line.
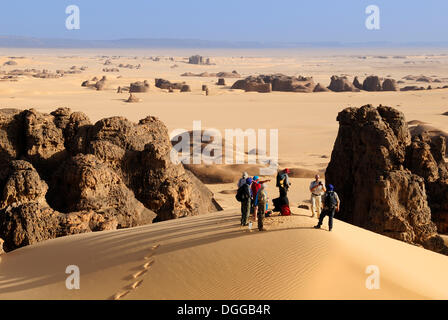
210, 256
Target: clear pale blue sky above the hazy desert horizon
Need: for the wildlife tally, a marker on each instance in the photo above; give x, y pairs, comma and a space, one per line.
230, 20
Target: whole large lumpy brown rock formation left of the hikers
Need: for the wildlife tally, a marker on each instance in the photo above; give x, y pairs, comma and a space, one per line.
61, 175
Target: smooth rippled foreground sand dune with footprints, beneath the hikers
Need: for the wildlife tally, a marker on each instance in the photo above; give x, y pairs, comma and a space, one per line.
212, 257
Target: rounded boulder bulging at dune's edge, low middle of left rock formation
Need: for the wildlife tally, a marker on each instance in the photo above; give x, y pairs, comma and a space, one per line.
89, 184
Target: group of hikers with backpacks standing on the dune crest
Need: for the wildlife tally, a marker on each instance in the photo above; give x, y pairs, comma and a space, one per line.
252, 193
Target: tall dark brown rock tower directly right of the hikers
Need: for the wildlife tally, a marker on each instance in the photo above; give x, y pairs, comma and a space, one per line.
368, 171
